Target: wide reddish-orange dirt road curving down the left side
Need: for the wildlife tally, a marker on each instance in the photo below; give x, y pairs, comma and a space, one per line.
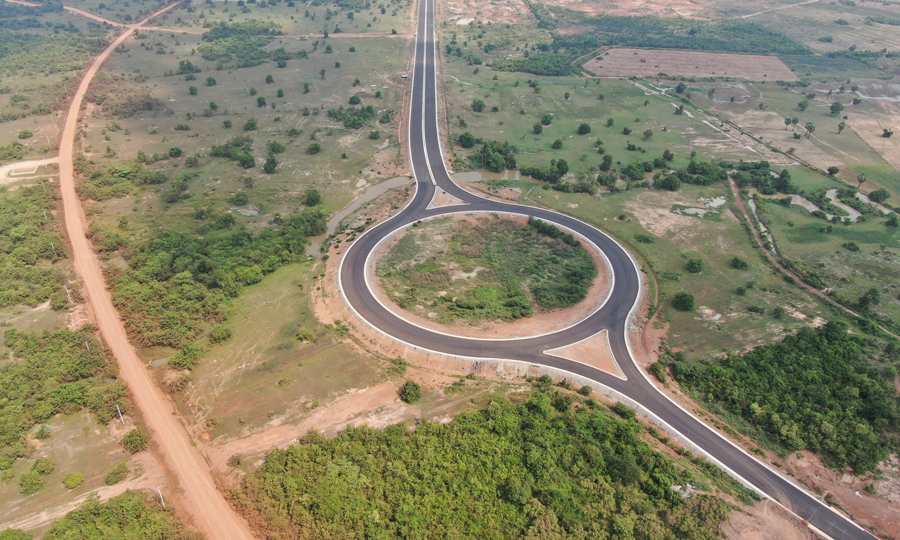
207, 507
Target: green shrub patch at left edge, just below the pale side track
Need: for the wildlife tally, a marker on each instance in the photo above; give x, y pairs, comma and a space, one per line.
29, 244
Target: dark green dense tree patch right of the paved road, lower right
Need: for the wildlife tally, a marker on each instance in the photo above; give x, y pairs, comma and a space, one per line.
812, 390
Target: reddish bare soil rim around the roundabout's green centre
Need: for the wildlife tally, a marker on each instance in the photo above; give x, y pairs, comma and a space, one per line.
540, 322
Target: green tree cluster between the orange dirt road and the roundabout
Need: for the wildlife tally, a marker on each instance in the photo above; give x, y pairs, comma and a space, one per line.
176, 282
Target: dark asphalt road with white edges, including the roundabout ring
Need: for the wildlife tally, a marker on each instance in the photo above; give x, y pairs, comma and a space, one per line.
431, 173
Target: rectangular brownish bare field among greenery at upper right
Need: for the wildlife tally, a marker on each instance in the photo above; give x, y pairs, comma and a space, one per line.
650, 63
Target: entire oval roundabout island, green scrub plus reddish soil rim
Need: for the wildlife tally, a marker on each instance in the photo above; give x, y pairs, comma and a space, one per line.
489, 276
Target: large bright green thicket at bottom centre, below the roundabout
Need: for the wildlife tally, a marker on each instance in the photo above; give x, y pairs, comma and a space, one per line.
535, 469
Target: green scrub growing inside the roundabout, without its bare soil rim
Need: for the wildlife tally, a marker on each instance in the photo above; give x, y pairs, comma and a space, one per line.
516, 263
